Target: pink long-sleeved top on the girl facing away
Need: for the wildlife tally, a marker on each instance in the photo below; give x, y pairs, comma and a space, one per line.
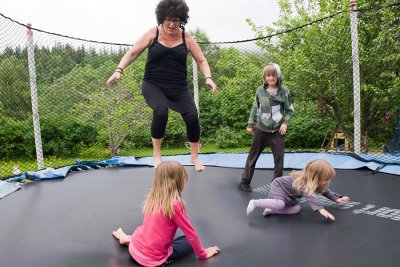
151, 242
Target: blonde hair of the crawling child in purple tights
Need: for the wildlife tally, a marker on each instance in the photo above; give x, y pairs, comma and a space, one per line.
309, 178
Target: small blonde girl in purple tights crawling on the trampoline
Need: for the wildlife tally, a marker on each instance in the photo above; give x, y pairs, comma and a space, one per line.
312, 180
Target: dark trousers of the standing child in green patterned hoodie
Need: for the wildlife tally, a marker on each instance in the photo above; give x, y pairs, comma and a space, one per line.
261, 140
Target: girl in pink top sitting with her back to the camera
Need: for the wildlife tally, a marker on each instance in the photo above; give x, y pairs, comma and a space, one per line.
153, 243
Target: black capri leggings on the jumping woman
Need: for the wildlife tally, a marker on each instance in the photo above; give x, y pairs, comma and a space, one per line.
182, 103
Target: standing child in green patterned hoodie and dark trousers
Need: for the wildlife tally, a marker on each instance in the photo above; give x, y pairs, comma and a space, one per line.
268, 122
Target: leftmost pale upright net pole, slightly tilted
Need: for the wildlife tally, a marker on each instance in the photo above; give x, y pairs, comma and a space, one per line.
34, 98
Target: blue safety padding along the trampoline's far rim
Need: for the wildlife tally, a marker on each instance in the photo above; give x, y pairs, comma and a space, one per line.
230, 160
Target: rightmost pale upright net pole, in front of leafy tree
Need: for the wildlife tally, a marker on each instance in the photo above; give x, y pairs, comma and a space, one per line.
356, 77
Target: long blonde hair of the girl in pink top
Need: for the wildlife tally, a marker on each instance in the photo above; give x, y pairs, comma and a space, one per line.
170, 179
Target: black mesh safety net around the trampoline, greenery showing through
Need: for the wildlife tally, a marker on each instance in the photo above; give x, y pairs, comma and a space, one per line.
55, 107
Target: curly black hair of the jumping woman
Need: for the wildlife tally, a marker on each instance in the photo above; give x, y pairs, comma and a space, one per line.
172, 9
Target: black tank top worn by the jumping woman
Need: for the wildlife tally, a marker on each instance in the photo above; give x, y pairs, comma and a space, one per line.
166, 67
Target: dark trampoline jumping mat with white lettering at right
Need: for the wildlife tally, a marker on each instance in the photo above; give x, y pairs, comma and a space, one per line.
68, 222
